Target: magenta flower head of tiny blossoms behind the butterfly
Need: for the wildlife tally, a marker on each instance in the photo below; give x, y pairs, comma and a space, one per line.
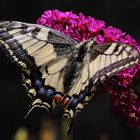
79, 27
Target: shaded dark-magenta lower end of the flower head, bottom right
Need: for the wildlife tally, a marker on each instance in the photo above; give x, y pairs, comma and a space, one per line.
127, 106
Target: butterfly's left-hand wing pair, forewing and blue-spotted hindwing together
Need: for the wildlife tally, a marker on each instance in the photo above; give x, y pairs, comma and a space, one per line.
42, 53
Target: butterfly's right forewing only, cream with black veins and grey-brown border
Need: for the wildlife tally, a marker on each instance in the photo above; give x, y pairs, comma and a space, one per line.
116, 57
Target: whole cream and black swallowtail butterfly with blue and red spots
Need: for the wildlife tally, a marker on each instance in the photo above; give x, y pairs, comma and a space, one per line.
59, 71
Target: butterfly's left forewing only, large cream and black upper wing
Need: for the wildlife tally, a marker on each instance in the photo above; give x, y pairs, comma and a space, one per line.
29, 45
